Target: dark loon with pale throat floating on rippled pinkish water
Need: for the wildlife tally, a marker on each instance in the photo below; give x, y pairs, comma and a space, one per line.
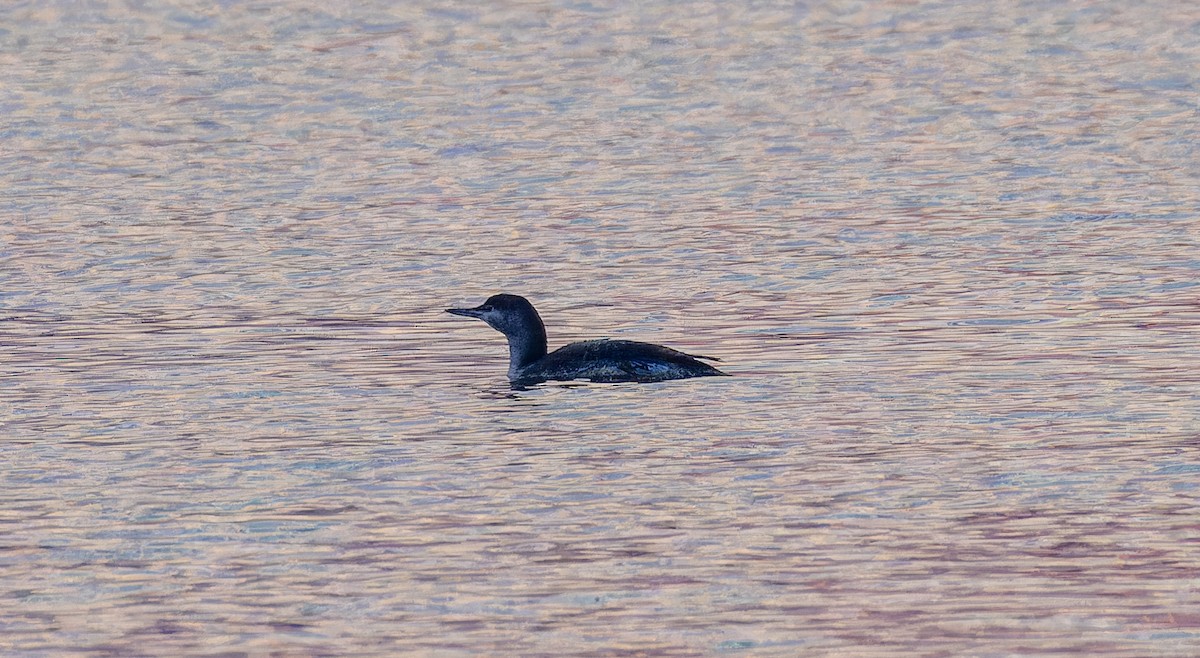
603, 361
